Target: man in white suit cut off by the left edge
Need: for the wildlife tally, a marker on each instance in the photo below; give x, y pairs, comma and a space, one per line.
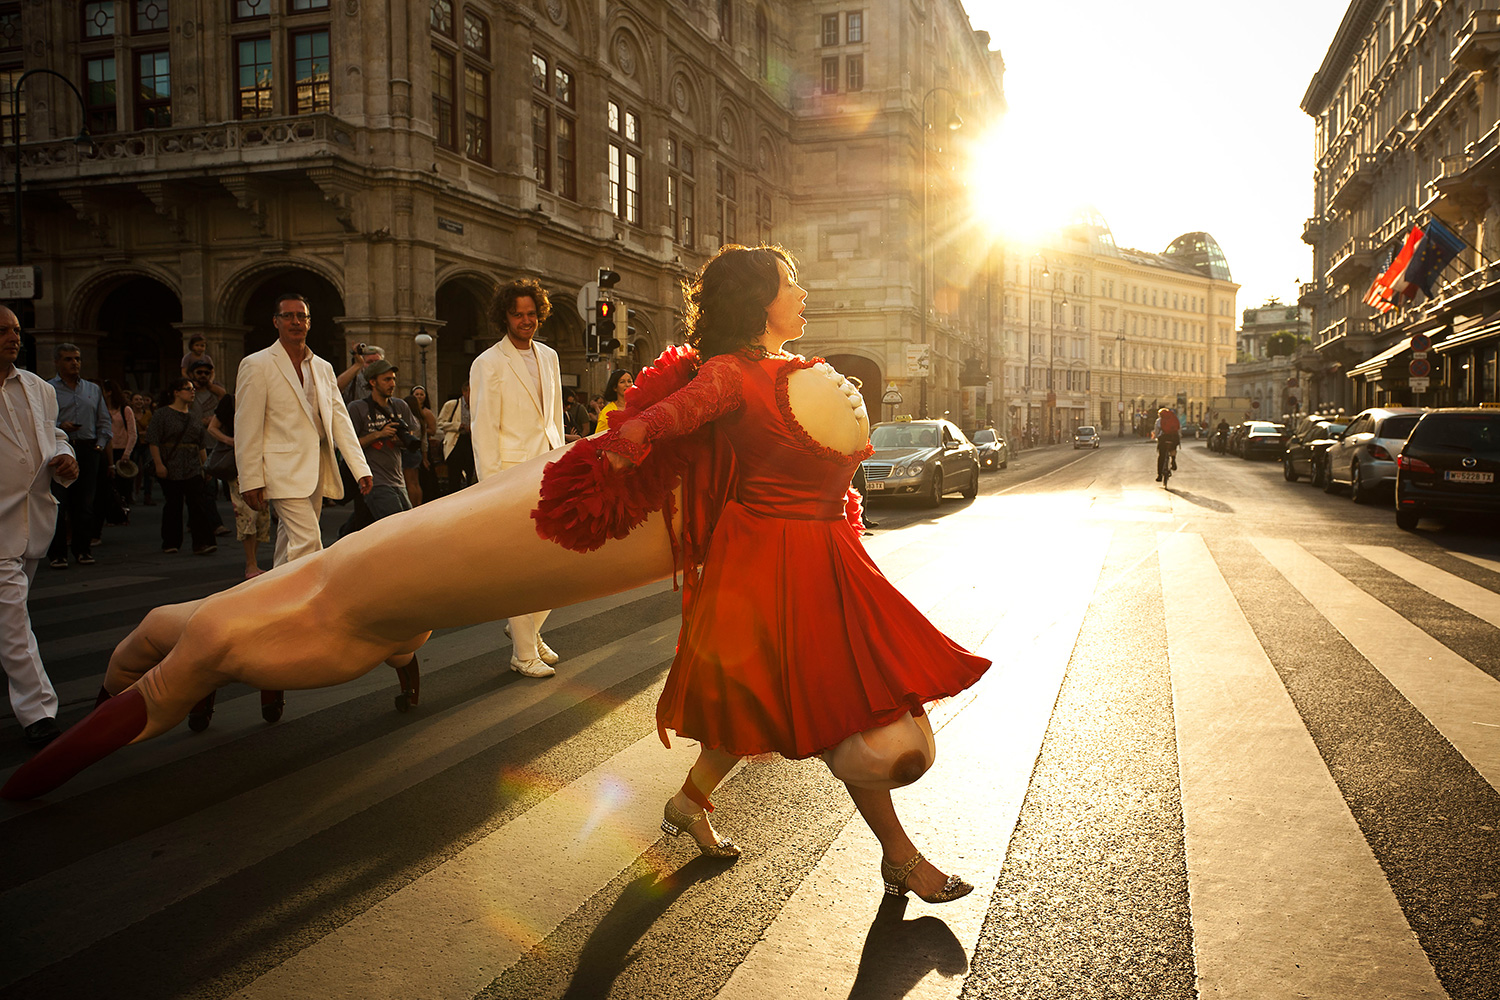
34, 454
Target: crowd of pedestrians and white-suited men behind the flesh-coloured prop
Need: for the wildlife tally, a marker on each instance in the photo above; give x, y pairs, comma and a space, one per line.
292, 440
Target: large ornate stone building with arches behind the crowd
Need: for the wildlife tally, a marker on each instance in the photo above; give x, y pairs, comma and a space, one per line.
397, 161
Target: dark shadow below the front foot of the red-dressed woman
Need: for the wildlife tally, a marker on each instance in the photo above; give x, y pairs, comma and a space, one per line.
899, 953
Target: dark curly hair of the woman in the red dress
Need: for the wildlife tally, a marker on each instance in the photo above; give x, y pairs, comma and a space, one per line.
727, 301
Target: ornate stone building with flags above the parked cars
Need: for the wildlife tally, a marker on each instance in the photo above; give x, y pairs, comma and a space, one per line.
1408, 116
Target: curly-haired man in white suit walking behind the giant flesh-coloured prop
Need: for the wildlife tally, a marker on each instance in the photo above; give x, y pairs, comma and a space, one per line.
517, 415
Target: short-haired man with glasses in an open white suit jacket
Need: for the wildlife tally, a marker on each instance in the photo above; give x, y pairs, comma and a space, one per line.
289, 419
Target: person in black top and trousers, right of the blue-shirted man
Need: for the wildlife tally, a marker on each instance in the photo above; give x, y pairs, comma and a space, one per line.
178, 451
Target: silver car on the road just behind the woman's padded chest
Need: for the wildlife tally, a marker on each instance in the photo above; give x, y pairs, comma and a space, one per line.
923, 458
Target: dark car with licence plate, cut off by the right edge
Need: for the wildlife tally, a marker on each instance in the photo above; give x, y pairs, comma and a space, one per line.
1450, 464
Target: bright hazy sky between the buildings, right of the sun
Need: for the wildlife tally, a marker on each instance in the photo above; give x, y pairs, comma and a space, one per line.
1169, 116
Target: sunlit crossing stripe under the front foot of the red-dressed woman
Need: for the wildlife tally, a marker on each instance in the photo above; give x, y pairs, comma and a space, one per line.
965, 809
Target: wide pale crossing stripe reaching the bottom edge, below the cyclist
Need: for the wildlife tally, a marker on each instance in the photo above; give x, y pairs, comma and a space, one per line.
1288, 899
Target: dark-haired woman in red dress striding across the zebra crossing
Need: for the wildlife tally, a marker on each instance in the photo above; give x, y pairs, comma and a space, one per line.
793, 641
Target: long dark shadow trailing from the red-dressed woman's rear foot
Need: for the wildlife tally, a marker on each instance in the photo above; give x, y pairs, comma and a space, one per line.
613, 945
